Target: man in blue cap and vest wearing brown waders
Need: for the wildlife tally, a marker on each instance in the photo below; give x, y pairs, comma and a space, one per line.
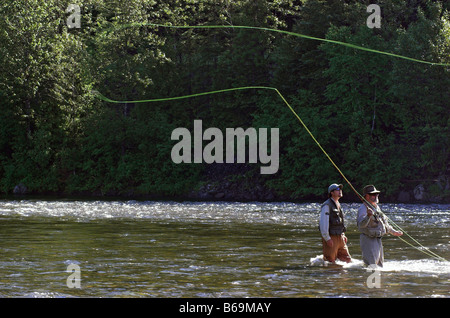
332, 227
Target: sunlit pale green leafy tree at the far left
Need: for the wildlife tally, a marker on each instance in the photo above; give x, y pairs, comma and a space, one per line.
42, 90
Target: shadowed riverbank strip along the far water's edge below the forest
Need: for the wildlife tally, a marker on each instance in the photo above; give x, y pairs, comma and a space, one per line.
239, 183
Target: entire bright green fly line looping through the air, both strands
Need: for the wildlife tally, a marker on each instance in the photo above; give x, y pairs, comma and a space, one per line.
419, 246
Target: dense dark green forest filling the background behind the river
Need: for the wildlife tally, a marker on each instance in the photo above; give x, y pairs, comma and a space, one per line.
383, 120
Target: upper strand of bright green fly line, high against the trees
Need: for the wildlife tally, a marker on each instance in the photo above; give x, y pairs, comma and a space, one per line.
353, 46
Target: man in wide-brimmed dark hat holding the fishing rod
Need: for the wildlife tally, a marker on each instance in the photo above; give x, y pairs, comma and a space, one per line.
373, 225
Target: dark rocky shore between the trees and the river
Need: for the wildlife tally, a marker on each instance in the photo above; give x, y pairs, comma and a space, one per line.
240, 182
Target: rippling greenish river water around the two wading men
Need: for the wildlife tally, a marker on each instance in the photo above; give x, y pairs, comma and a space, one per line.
212, 249
